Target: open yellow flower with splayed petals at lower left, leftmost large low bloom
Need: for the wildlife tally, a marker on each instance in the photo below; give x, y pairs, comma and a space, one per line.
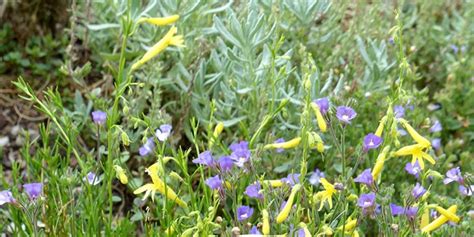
158, 185
